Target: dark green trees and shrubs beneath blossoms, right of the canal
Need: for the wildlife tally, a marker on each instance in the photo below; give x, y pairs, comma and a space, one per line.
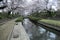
45, 14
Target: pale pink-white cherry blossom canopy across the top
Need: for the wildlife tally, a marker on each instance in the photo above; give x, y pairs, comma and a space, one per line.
27, 6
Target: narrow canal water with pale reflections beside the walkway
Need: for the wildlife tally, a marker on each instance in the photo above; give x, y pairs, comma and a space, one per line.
36, 32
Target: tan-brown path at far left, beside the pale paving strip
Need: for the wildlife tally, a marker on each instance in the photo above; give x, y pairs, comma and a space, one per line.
6, 29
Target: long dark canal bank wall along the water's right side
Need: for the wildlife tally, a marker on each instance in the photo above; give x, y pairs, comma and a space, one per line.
54, 27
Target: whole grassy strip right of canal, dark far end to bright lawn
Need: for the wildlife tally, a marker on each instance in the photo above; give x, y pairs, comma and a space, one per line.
48, 21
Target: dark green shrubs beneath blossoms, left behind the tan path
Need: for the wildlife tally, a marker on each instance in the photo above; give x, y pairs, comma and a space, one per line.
8, 15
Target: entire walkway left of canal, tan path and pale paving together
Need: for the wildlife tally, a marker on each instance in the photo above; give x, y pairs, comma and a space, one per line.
9, 30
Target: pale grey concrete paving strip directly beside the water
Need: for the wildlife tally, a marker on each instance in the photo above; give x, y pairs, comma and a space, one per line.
19, 33
